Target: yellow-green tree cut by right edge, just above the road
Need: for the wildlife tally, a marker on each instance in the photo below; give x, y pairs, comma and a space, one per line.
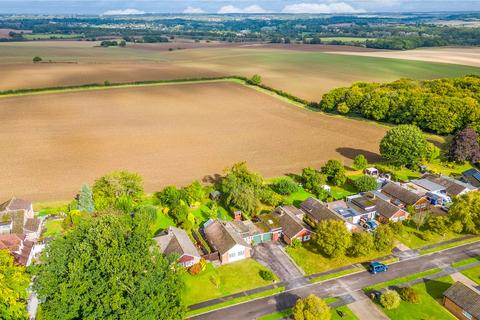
466, 209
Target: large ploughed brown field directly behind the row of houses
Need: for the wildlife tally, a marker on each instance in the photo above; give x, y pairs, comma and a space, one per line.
172, 134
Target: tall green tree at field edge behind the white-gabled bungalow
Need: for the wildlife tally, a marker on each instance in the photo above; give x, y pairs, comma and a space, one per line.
241, 188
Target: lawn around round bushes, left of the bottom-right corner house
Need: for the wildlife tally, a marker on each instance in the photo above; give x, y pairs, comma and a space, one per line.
429, 307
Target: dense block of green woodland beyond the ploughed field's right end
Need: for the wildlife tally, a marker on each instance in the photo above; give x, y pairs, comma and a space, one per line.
443, 106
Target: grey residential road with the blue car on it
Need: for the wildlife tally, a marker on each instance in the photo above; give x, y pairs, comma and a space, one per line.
254, 309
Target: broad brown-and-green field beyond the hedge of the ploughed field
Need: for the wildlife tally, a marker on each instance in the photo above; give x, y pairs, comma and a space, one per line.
305, 74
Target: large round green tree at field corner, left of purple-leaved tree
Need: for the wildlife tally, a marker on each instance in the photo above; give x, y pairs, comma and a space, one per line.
403, 145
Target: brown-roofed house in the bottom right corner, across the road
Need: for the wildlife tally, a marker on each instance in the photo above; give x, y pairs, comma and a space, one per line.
462, 301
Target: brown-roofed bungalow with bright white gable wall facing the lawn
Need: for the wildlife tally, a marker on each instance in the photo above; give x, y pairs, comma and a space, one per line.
224, 239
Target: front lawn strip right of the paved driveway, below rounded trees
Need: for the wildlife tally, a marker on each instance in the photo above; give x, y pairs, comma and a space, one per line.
312, 262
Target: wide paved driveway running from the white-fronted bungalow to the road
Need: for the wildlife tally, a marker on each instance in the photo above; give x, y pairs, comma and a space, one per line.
272, 256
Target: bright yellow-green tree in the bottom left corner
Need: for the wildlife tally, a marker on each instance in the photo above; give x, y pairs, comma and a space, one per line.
14, 282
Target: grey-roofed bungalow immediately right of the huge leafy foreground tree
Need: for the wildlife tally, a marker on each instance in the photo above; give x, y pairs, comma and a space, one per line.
176, 241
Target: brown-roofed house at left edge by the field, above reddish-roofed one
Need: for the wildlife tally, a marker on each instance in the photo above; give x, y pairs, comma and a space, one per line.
17, 217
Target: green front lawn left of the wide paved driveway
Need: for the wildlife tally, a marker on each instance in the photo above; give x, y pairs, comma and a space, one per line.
231, 278
